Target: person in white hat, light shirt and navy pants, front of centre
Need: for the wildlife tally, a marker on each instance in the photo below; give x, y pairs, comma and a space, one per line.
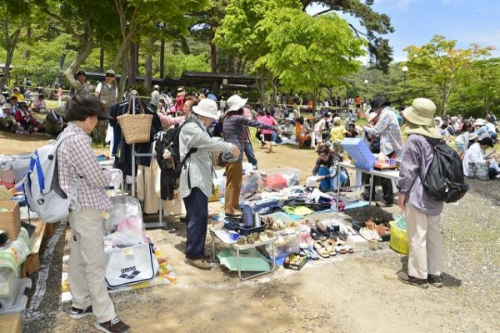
196, 176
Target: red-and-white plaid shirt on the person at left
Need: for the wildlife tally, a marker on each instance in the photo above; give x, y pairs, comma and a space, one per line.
75, 158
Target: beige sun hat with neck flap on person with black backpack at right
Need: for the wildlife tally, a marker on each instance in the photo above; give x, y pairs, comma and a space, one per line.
420, 117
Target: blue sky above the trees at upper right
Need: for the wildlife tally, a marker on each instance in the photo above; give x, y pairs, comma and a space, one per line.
417, 21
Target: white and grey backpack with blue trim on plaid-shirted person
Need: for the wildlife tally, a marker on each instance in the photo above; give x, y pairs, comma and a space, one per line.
41, 187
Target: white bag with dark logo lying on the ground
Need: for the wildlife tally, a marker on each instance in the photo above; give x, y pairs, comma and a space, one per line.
130, 265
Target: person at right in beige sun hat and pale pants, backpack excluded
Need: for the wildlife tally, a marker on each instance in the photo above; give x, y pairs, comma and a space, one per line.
422, 212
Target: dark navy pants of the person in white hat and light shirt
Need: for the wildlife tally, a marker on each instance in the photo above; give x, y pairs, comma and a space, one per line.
196, 220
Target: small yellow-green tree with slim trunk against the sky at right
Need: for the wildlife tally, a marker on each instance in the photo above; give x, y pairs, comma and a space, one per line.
443, 64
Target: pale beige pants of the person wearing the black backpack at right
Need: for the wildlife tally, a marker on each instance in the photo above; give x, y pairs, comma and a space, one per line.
426, 243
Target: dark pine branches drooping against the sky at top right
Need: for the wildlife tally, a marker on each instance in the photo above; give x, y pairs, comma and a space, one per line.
376, 24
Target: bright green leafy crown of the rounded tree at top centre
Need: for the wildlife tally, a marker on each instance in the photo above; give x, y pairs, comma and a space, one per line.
308, 52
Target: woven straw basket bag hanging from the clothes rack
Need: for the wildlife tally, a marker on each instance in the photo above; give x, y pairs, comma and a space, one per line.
136, 127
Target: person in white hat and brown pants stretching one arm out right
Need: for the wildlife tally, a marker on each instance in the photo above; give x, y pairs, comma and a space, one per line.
234, 132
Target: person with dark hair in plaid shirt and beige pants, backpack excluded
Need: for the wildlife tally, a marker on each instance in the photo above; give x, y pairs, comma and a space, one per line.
87, 266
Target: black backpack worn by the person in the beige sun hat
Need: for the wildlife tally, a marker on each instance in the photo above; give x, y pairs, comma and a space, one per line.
444, 180
